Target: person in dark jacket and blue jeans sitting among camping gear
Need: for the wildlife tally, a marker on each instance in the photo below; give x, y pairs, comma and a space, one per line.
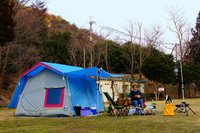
136, 97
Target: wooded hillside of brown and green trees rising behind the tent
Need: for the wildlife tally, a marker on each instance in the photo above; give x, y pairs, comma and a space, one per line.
37, 36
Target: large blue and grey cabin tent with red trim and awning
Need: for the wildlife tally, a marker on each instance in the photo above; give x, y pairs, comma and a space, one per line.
50, 89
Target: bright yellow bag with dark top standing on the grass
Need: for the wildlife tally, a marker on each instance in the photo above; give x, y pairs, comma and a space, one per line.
169, 108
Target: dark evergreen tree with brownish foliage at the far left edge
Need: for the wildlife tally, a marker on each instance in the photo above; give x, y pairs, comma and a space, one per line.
7, 34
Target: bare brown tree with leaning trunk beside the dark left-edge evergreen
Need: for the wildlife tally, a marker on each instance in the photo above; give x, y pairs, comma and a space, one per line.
20, 31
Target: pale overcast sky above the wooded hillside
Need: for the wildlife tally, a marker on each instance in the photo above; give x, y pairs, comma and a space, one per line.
117, 13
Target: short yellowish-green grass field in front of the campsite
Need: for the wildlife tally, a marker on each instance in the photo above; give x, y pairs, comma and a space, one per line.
105, 123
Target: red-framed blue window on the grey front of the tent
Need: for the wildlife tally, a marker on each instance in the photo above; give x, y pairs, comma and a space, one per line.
54, 97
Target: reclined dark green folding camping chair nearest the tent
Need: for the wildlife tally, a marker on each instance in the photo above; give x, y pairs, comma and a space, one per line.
121, 109
